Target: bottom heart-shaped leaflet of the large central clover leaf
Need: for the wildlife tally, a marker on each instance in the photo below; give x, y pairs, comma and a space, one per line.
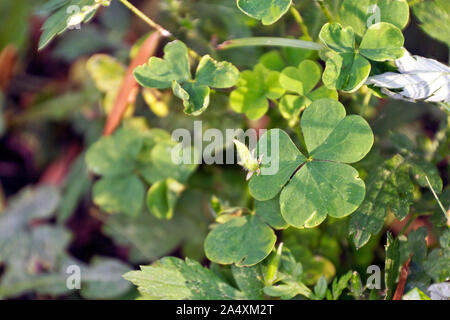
319, 189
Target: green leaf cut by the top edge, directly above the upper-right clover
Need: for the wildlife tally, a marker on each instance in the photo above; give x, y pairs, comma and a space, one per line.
360, 13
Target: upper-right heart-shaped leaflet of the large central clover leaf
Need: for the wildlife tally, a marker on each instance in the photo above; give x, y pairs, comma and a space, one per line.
330, 135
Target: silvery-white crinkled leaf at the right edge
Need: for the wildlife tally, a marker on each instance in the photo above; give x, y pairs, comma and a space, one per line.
419, 78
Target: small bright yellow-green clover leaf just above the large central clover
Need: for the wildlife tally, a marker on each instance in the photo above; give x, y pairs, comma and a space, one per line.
302, 80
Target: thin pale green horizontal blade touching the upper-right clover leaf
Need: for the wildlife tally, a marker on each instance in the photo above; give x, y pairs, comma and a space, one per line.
269, 41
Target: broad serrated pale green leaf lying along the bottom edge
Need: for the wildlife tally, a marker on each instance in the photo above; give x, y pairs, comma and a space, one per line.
173, 278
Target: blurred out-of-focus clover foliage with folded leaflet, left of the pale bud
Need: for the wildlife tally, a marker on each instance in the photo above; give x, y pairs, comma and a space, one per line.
127, 158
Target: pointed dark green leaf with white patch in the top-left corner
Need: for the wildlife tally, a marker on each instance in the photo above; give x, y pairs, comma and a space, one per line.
63, 16
